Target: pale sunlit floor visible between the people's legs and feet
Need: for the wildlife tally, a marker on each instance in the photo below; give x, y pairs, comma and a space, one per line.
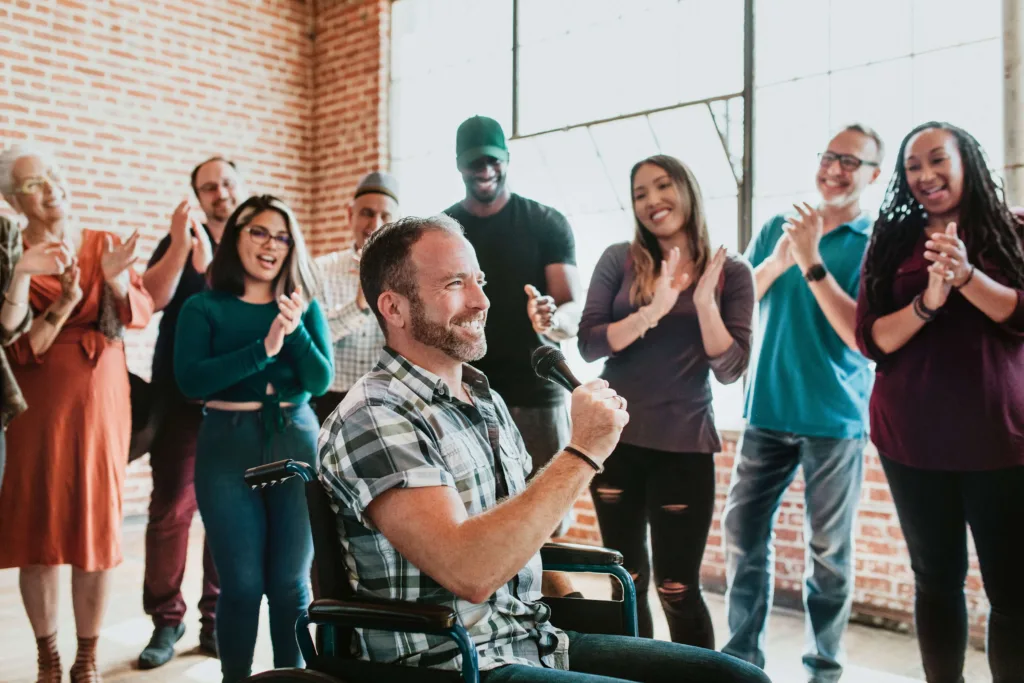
875, 656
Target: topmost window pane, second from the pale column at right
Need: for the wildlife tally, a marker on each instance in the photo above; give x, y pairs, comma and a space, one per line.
869, 31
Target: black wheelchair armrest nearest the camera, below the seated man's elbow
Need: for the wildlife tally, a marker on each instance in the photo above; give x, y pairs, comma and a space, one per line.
383, 616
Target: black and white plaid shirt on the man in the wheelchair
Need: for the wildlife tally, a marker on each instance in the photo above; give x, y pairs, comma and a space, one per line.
400, 426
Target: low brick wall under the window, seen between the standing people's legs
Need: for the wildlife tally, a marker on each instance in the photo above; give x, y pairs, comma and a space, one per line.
884, 592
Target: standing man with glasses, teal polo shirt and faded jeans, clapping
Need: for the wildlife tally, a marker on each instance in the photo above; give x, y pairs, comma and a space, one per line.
806, 407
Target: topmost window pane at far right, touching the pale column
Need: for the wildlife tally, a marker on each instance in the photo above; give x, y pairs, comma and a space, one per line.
940, 24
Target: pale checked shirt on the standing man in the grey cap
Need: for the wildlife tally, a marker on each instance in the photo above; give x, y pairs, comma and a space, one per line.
355, 334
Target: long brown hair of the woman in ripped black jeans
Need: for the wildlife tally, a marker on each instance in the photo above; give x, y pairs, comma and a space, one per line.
646, 251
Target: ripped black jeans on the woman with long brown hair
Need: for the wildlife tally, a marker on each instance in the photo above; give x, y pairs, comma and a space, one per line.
675, 494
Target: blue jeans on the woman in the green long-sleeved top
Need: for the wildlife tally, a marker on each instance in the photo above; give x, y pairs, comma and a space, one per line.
261, 540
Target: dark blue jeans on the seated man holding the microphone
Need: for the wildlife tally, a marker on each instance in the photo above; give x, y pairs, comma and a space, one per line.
593, 659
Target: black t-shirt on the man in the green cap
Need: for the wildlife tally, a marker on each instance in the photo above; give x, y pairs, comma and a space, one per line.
514, 248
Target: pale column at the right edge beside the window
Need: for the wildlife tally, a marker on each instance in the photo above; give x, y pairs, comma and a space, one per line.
1013, 100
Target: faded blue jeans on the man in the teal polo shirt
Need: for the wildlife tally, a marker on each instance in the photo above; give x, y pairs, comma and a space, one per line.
765, 466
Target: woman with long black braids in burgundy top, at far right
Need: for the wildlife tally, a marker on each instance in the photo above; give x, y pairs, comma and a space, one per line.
942, 311
